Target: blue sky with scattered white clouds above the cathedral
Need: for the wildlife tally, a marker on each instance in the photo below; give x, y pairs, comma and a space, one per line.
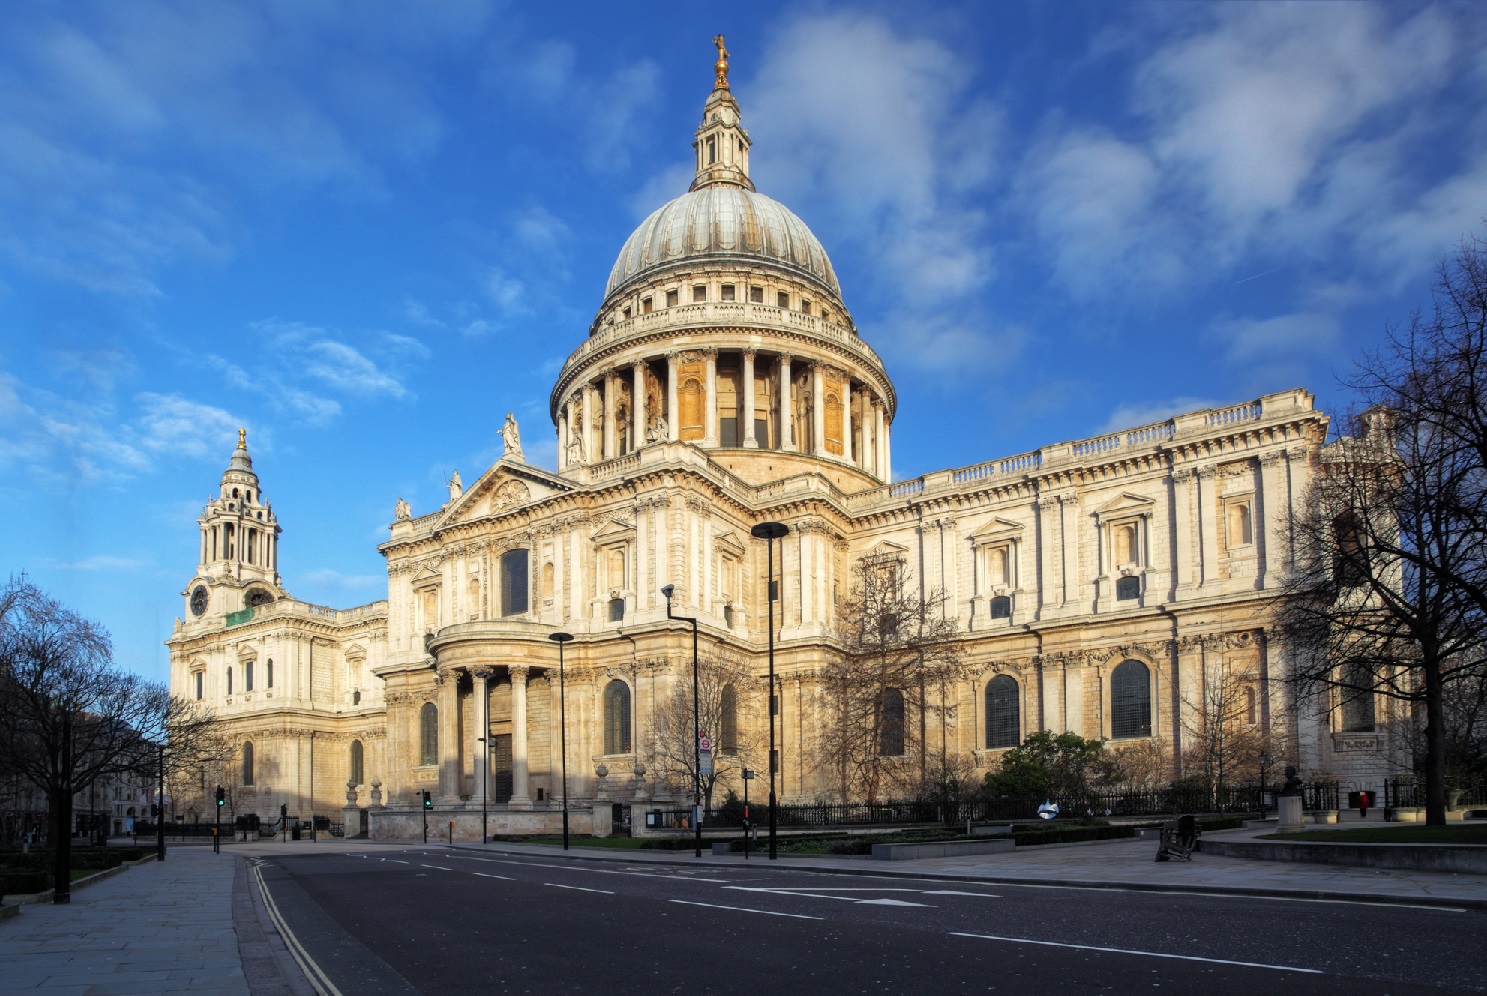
368, 230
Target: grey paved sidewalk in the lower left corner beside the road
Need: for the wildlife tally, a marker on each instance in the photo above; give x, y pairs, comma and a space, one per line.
157, 928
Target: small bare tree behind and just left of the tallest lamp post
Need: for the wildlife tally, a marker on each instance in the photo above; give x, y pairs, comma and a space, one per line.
728, 695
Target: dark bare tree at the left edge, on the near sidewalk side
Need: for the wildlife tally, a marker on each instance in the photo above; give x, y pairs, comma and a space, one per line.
68, 717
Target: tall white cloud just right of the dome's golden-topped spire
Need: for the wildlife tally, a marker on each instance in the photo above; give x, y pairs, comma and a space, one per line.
875, 132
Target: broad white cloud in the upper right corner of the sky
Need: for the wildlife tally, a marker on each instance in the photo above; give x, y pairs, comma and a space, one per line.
1269, 135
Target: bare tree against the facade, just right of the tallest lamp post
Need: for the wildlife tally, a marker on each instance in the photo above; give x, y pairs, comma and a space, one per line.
899, 656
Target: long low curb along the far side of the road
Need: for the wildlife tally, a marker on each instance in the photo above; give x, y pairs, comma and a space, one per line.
1373, 899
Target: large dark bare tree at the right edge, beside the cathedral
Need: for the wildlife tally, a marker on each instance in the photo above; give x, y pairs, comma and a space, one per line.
1390, 594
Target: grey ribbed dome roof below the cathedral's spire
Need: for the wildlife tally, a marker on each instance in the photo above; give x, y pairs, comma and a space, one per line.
728, 224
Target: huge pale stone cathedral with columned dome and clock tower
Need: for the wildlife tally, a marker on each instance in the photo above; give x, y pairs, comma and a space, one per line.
1097, 586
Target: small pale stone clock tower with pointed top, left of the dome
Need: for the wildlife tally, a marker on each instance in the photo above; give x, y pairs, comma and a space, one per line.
239, 566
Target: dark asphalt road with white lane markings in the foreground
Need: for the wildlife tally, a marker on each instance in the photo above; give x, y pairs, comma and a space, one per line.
438, 921
